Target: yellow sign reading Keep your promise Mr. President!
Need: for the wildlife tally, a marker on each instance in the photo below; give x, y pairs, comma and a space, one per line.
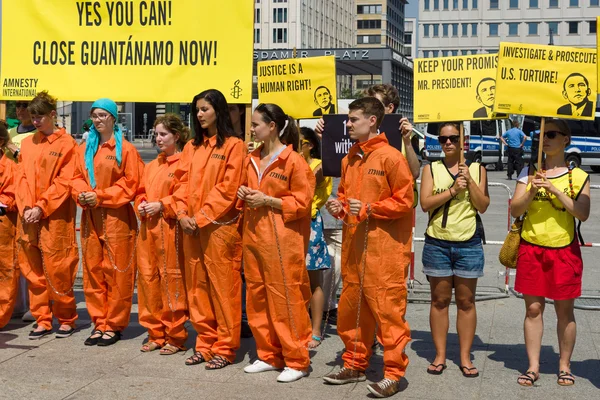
455, 88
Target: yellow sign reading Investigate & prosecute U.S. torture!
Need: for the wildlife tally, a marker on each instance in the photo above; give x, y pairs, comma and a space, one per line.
546, 81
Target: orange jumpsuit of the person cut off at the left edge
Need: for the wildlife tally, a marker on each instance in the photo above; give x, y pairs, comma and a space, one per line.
9, 266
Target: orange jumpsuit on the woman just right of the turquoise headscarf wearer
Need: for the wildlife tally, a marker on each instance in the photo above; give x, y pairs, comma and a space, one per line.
162, 307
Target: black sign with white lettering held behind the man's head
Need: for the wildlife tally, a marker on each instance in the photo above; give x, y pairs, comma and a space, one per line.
336, 141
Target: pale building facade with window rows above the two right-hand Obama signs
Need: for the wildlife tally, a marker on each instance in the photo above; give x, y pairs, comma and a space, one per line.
460, 27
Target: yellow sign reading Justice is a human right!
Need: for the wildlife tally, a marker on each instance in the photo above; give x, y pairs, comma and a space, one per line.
302, 87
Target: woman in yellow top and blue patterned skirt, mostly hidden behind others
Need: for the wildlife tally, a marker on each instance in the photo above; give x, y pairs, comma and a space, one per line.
317, 258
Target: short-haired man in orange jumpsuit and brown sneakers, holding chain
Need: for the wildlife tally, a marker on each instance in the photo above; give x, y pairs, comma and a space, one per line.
375, 195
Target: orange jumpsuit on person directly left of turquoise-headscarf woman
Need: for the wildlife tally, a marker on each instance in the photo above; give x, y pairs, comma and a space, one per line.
49, 256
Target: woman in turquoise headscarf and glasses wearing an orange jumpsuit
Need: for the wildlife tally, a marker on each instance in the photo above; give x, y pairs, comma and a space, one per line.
108, 170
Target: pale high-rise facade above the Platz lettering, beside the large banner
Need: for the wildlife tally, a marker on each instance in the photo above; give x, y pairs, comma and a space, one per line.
304, 24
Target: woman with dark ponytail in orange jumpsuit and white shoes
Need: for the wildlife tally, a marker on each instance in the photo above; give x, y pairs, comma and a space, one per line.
277, 193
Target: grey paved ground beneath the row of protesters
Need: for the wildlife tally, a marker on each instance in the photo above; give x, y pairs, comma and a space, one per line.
52, 368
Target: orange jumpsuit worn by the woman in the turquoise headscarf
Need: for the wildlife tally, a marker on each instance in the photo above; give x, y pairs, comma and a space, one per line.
108, 233
